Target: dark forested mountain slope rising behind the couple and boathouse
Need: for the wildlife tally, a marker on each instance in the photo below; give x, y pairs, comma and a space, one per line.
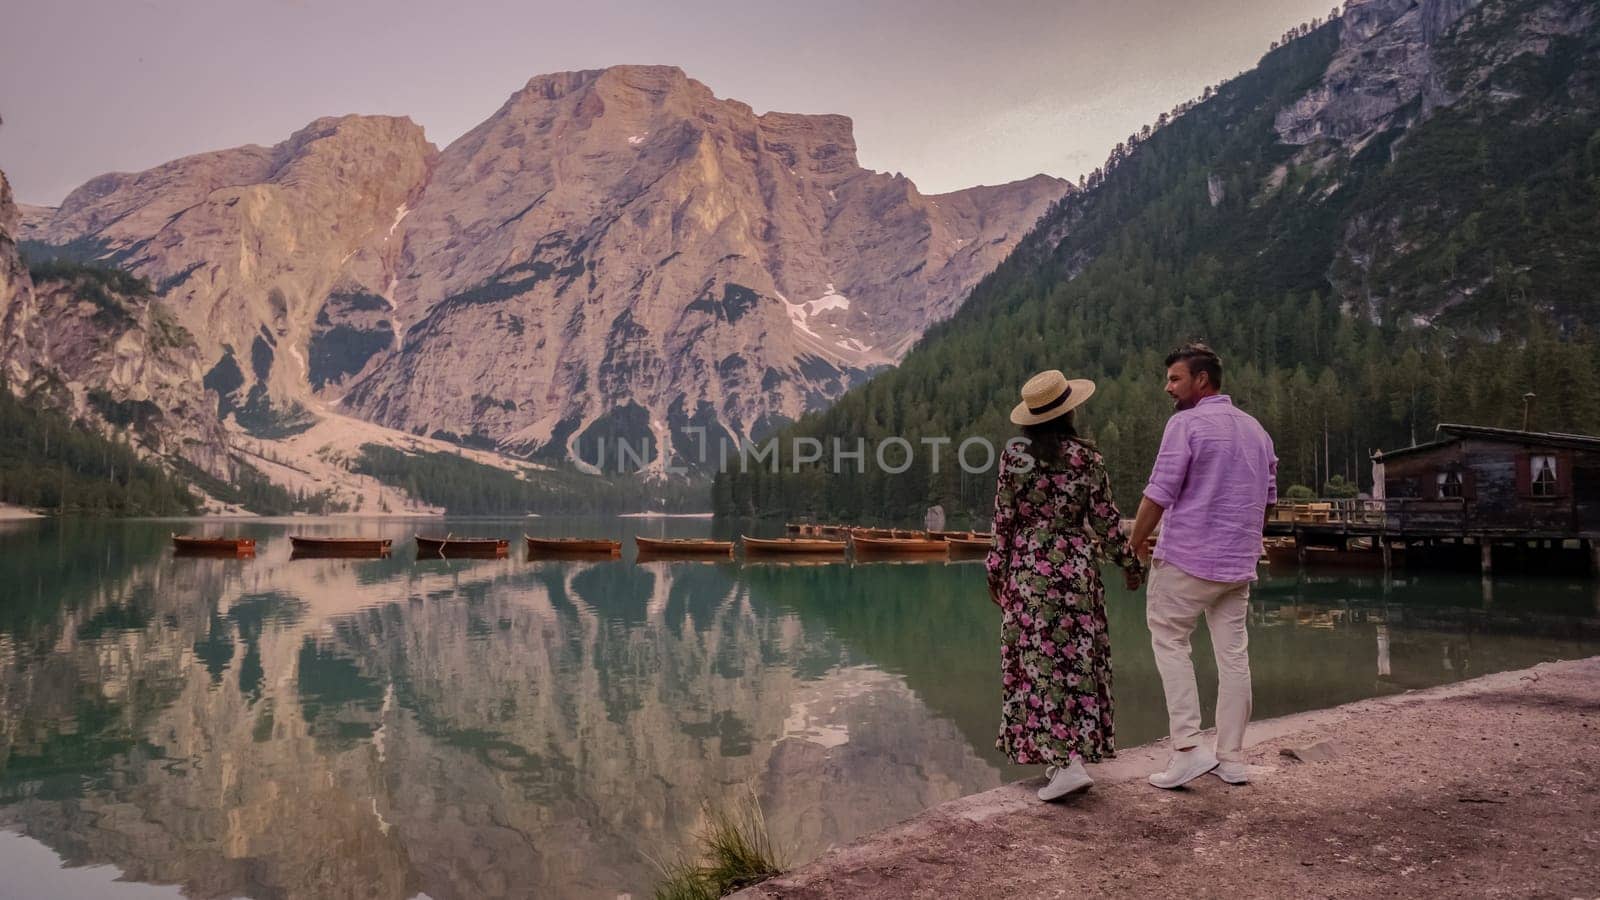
1394, 220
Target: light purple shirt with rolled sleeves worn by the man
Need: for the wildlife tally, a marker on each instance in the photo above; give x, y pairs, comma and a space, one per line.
1215, 476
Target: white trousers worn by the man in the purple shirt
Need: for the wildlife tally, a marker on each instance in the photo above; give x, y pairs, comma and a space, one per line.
1174, 606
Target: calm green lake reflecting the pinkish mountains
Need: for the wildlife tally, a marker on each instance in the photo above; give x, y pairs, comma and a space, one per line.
274, 728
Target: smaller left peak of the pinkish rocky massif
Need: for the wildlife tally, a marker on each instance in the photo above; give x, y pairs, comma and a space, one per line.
254, 249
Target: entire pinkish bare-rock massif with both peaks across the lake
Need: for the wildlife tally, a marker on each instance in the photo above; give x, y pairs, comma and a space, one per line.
612, 255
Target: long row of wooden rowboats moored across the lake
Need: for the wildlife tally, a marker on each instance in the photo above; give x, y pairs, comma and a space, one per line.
804, 540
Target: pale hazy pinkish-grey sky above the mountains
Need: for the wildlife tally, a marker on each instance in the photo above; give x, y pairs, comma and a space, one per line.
950, 94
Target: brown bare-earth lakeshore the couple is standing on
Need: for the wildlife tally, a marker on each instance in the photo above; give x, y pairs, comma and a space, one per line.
1476, 789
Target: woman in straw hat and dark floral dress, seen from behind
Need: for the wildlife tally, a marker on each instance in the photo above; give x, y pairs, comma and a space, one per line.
1055, 523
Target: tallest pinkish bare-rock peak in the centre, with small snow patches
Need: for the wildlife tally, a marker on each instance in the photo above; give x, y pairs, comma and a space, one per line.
622, 254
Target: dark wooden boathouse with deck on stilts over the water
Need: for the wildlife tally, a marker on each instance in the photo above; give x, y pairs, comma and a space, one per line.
1473, 496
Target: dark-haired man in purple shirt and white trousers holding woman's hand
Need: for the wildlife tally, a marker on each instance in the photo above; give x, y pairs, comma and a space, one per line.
1214, 481
